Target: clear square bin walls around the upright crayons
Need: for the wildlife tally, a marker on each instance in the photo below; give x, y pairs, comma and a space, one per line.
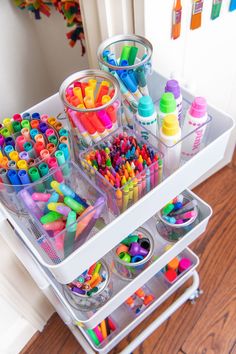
121, 198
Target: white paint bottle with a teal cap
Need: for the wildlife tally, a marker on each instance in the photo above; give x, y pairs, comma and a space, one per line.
147, 118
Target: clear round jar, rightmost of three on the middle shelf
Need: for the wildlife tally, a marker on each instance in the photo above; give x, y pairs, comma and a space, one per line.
174, 232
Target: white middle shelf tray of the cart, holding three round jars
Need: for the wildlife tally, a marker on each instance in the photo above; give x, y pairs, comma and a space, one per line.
123, 288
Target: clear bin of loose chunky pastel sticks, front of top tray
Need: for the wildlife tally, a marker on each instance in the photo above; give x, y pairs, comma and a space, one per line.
64, 209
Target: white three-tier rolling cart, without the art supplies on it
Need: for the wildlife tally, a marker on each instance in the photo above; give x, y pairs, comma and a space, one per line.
50, 278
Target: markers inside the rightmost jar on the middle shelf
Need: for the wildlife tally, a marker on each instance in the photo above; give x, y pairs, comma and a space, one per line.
177, 212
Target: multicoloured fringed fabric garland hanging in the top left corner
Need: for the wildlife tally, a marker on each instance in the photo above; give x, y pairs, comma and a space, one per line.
69, 9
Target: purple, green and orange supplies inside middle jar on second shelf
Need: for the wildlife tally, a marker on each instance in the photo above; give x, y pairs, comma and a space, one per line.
134, 248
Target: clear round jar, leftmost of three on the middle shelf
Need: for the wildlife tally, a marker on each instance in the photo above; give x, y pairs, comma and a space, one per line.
95, 300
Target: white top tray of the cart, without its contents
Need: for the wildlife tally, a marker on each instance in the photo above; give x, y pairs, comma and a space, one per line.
136, 215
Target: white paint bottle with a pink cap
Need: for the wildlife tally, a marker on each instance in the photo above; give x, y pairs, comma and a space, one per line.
195, 117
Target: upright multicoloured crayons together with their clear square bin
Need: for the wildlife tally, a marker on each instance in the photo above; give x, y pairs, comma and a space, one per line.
124, 167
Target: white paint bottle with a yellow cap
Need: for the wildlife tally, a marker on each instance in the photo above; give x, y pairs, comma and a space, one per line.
170, 136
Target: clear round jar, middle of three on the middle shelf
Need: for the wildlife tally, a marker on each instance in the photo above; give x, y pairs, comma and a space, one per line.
129, 271
